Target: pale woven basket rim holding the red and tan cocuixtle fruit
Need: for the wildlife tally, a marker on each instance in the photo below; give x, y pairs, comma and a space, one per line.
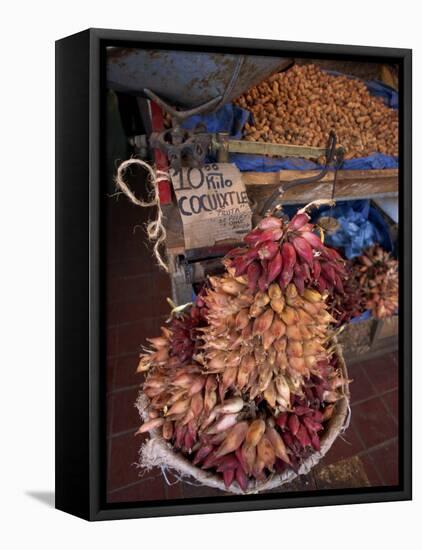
157, 452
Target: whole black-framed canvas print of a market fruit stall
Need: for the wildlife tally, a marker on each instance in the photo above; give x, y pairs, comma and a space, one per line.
233, 274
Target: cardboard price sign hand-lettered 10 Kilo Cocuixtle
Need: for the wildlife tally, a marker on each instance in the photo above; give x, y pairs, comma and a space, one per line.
213, 204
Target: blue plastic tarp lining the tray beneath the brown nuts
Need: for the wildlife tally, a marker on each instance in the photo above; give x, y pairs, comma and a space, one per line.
231, 119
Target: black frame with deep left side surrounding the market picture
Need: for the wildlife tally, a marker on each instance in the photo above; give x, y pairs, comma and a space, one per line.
80, 401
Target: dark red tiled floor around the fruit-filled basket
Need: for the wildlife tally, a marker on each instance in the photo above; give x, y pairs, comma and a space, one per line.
136, 307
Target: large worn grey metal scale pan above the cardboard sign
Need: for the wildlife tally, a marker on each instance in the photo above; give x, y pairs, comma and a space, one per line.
188, 79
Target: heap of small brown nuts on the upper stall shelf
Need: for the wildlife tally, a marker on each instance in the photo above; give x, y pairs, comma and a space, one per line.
301, 106
